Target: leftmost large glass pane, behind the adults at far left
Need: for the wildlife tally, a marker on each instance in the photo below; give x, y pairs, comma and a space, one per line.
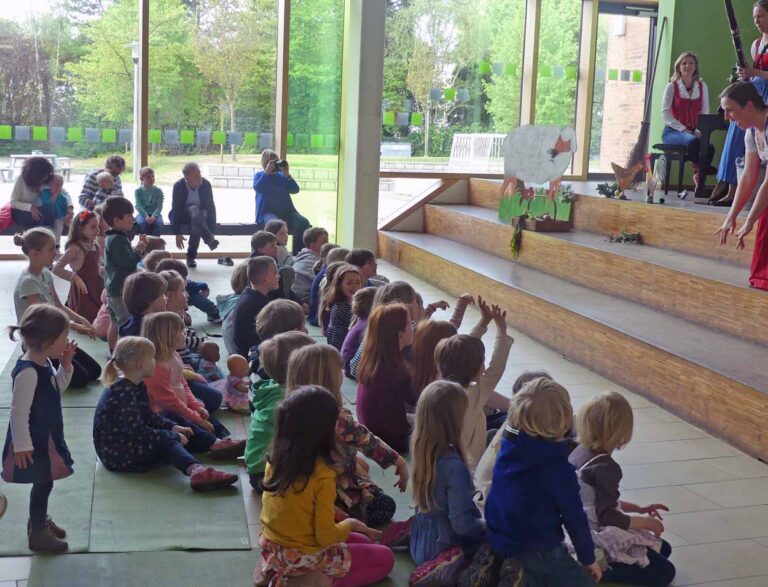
66, 81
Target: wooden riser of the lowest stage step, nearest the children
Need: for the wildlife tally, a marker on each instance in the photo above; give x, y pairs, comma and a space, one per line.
703, 397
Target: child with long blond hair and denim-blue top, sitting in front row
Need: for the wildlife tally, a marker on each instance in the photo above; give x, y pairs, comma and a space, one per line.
447, 527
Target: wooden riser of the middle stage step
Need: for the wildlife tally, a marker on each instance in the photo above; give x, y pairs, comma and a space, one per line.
735, 310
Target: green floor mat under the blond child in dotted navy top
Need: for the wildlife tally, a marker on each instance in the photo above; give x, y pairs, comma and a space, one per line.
157, 510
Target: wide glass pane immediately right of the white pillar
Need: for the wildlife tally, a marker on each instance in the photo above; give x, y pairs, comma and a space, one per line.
452, 72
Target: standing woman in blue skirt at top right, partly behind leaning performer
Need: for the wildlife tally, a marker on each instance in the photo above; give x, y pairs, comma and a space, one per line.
724, 191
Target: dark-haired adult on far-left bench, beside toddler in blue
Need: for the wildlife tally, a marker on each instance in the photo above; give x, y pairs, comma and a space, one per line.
26, 208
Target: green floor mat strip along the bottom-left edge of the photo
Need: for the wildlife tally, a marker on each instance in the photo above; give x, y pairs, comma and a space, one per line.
139, 569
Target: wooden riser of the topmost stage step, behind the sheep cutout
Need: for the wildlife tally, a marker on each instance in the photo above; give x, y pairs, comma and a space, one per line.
662, 226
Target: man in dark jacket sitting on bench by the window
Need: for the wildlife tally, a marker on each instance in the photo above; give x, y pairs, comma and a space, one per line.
193, 211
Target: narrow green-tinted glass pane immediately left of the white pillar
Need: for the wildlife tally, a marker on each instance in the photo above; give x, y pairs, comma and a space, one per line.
314, 106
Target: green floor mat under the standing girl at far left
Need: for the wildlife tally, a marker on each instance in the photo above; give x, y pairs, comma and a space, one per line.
70, 502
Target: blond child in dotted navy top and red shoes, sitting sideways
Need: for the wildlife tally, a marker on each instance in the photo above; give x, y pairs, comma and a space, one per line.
130, 437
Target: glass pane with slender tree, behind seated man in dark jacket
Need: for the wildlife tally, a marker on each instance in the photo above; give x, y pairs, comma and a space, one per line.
212, 86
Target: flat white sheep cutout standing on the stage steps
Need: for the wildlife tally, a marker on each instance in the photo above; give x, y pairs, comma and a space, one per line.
537, 156
